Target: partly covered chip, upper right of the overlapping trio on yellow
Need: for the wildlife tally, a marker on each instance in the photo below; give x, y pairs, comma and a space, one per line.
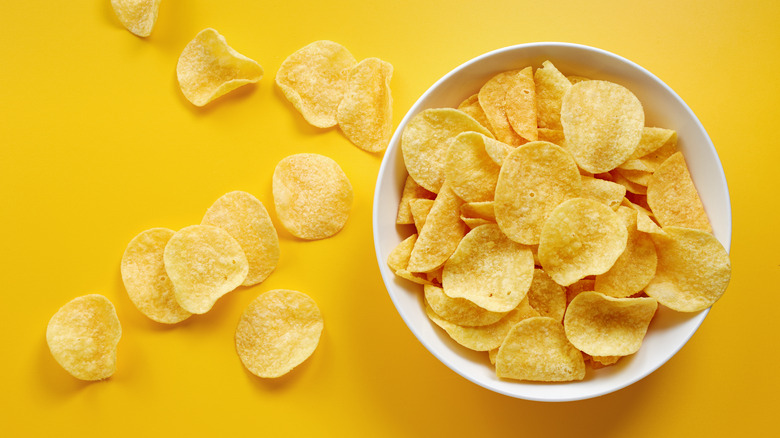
246, 219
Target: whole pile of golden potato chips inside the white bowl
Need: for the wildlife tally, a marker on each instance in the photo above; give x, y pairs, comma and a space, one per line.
550, 223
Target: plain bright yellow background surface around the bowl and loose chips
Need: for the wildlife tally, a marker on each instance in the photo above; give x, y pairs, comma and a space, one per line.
97, 144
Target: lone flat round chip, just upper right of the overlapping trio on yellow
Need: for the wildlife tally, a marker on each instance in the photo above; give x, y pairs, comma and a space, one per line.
312, 196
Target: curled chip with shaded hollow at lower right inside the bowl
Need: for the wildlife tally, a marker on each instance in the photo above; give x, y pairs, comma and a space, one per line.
601, 325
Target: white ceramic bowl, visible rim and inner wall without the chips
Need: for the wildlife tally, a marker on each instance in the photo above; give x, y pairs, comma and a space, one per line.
670, 330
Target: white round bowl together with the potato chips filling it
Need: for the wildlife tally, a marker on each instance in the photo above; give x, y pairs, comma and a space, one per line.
552, 221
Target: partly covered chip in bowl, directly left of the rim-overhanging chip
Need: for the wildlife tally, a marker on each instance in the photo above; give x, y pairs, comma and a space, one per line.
634, 269
